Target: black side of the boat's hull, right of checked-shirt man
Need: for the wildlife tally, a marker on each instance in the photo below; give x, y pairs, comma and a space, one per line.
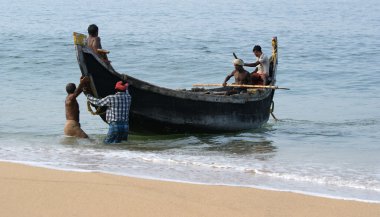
159, 113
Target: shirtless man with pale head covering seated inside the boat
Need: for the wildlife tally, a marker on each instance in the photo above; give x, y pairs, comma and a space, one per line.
241, 76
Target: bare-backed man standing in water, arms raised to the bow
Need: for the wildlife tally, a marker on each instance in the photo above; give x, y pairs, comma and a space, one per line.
72, 126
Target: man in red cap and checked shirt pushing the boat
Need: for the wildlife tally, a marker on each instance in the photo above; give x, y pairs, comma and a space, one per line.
117, 113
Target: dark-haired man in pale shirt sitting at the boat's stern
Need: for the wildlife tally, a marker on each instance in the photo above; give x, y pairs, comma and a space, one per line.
260, 74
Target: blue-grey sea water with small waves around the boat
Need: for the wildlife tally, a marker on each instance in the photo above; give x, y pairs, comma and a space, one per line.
326, 141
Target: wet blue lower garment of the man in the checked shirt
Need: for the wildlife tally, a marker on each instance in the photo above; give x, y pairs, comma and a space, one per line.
117, 132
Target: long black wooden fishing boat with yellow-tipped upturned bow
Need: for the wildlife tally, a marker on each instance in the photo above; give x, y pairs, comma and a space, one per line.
163, 110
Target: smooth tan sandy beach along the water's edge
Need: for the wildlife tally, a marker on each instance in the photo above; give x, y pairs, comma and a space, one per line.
32, 191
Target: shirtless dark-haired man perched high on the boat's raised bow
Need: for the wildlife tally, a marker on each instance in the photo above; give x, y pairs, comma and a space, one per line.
93, 42
